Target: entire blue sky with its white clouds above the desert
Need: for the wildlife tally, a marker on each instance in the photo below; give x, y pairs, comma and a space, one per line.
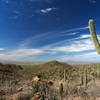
43, 30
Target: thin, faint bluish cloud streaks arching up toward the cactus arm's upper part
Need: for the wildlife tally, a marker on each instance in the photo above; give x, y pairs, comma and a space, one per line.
51, 35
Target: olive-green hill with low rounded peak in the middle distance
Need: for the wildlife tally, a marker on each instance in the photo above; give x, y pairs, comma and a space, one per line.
47, 70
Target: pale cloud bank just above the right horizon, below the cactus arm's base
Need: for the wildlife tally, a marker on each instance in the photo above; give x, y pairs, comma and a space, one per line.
86, 57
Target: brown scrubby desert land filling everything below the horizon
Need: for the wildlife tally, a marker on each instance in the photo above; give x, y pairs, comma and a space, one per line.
50, 81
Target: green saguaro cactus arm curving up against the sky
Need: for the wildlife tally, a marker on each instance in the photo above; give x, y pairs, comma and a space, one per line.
94, 36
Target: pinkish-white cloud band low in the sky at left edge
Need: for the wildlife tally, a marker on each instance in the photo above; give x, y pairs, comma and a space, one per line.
20, 54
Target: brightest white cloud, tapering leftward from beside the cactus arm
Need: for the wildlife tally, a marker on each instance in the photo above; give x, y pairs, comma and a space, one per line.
76, 46
